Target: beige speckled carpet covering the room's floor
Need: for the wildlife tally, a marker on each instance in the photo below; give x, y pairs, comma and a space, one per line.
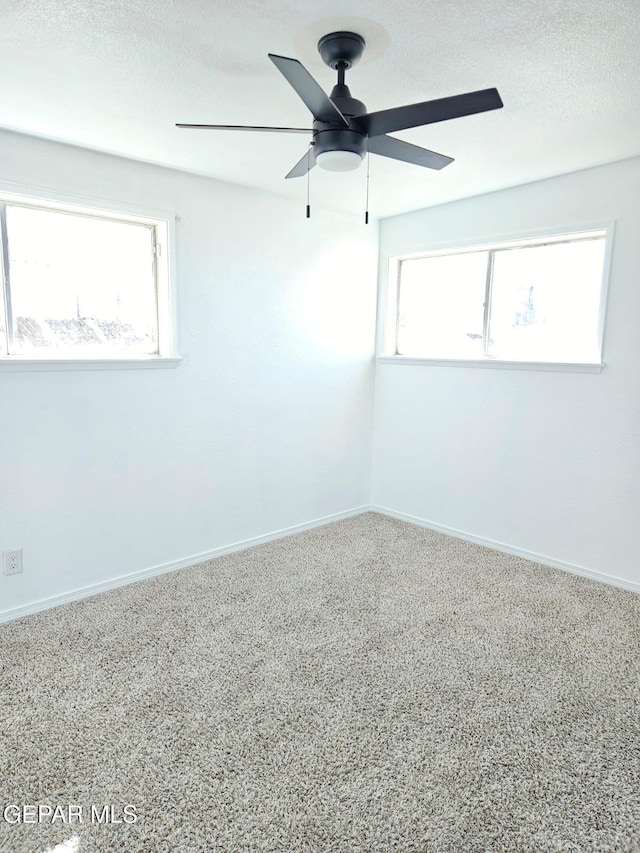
367, 686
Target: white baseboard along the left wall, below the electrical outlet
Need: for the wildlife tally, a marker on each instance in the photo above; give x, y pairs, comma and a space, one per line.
194, 559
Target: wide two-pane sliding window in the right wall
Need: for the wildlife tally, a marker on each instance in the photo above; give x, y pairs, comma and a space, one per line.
533, 301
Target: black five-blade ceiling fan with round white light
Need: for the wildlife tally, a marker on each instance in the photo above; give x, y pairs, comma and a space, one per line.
343, 131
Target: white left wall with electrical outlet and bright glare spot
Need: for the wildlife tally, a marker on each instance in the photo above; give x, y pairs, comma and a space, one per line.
265, 425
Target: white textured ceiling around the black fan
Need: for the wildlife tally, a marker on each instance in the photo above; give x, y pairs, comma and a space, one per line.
115, 75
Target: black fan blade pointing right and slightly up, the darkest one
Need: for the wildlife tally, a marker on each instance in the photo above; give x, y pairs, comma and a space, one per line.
429, 112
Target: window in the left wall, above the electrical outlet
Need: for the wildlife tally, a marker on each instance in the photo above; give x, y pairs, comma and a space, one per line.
81, 283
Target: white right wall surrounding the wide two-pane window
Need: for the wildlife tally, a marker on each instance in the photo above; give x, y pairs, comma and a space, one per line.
545, 462
